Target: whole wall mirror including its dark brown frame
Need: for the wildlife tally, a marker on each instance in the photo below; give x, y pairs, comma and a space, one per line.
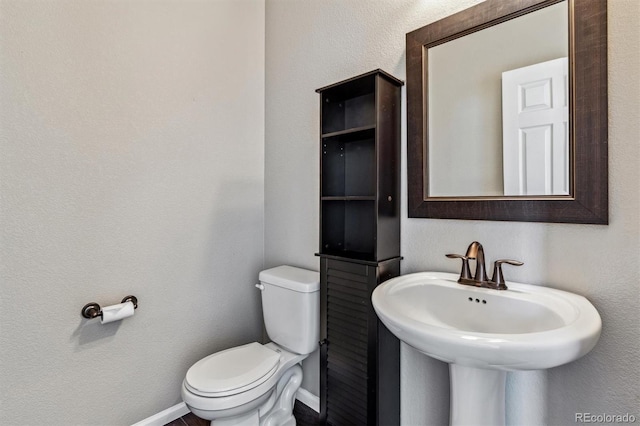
470, 79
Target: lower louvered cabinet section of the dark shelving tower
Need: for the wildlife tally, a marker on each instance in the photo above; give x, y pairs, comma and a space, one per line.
359, 356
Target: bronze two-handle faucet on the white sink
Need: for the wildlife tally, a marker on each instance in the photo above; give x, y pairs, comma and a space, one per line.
475, 251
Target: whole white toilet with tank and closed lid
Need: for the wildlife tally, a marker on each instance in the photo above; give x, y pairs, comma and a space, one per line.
256, 384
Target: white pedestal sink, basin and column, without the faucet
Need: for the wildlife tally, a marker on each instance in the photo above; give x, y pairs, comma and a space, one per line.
483, 333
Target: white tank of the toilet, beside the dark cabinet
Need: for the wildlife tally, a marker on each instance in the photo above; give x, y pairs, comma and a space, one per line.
291, 307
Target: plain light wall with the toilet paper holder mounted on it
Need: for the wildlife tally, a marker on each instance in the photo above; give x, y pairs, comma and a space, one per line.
132, 162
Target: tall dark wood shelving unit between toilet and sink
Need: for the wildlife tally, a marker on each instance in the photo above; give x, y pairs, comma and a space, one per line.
359, 248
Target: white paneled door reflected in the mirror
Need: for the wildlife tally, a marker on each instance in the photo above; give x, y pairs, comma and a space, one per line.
535, 129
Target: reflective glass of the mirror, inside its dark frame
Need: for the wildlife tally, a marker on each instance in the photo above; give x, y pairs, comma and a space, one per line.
498, 102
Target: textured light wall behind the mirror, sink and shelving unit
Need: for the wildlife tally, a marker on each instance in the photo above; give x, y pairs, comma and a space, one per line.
311, 44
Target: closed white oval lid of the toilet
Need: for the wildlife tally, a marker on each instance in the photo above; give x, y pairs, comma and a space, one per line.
233, 369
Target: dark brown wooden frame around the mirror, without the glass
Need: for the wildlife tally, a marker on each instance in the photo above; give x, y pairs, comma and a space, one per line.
588, 202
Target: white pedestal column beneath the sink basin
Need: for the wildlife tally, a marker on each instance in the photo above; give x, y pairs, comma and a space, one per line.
477, 396
